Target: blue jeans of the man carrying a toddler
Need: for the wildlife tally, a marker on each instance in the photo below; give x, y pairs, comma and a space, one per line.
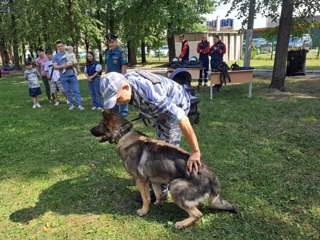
71, 83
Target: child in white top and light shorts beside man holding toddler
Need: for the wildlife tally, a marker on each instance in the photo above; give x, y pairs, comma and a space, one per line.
54, 78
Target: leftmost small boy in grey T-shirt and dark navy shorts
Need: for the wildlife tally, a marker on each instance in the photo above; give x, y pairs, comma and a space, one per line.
32, 76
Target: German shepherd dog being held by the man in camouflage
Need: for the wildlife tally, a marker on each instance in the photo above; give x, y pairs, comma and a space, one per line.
158, 162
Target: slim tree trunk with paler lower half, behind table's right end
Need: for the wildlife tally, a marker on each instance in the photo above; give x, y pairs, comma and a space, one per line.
249, 34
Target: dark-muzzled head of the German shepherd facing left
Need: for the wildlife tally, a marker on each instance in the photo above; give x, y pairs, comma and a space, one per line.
111, 127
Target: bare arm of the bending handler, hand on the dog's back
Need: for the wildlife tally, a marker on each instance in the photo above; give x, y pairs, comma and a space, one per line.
188, 132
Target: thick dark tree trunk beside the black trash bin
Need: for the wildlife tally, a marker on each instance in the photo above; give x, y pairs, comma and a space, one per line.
279, 68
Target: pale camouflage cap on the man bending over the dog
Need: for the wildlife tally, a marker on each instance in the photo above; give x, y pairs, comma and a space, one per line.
110, 84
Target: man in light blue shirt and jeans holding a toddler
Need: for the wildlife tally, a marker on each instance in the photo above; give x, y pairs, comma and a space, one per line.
68, 78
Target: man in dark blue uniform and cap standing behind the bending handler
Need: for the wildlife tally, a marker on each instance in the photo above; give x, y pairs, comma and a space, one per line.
116, 61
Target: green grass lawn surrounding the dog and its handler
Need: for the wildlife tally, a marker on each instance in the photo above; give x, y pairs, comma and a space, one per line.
265, 151
